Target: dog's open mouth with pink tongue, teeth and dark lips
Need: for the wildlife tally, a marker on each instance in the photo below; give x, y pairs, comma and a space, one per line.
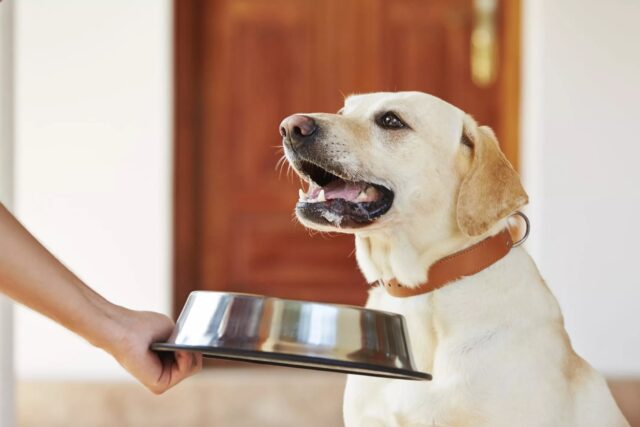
339, 202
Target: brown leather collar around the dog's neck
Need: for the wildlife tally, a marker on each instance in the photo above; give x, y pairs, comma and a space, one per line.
466, 262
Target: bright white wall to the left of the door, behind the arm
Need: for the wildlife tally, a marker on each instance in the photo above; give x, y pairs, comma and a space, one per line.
93, 161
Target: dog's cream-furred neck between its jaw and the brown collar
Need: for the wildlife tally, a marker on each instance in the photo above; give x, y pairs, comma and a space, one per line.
406, 252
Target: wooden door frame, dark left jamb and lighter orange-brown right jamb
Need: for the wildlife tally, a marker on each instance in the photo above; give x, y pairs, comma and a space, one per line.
187, 117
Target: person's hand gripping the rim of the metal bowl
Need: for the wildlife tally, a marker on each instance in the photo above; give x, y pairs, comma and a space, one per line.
156, 371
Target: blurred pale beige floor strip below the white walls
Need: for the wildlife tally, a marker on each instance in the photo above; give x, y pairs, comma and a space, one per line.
231, 397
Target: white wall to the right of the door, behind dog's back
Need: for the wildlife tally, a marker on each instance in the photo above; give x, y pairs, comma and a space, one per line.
582, 106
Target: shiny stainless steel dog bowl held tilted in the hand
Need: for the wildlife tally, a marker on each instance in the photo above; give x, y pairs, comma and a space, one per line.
294, 333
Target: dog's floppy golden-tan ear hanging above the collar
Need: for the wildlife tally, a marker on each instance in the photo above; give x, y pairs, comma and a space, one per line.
491, 190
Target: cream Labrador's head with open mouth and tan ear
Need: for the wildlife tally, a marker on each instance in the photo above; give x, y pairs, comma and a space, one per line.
389, 157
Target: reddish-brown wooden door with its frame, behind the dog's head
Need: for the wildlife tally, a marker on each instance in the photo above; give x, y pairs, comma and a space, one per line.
243, 65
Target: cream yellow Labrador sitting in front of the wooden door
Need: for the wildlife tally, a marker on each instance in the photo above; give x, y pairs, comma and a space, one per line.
419, 182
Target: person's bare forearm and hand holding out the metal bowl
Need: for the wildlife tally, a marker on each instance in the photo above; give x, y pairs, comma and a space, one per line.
32, 276
